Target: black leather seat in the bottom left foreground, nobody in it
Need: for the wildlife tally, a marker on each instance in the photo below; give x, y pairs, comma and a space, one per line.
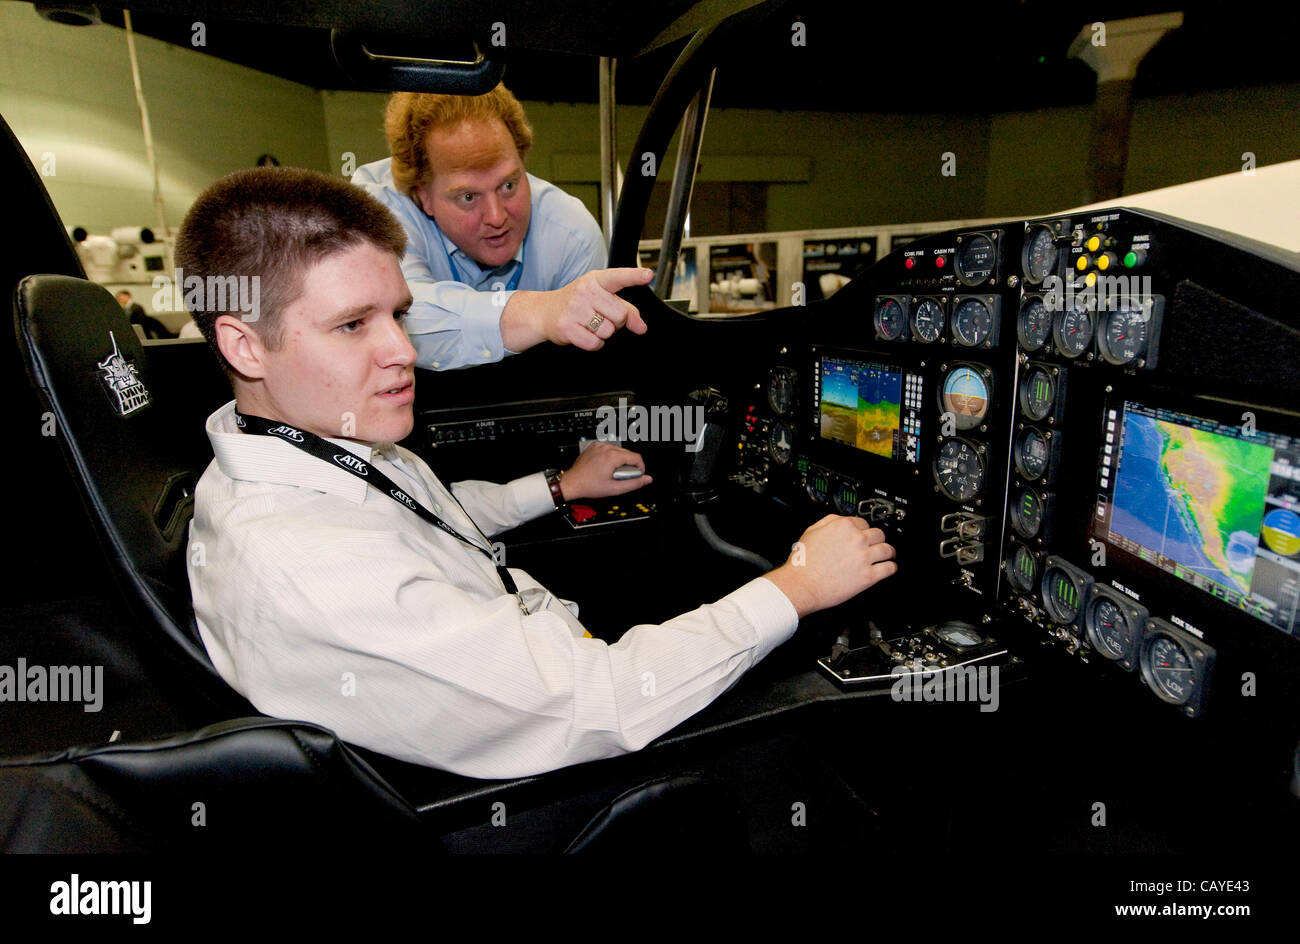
239, 786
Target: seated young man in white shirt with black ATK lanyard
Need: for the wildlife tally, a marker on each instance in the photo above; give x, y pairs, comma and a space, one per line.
383, 613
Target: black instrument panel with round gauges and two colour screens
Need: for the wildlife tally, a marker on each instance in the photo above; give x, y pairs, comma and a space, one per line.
1041, 418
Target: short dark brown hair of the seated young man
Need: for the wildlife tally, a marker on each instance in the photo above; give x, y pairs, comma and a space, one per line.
274, 224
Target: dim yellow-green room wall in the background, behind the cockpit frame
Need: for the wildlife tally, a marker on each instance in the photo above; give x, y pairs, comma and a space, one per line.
68, 94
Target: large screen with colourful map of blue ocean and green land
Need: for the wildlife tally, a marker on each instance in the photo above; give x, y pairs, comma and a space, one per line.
1216, 506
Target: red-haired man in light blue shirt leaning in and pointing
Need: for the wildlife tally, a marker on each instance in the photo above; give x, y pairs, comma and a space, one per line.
497, 261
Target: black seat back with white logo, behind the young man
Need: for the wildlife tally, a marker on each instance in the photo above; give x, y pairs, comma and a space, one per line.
127, 456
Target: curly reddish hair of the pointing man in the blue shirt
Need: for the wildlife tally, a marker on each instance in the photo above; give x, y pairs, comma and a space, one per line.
410, 118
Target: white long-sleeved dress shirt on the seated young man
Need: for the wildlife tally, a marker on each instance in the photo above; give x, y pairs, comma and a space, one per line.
320, 599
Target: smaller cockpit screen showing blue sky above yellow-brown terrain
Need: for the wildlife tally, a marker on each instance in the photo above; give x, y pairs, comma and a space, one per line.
861, 405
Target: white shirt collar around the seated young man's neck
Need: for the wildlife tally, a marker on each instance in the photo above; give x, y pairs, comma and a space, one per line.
268, 460
